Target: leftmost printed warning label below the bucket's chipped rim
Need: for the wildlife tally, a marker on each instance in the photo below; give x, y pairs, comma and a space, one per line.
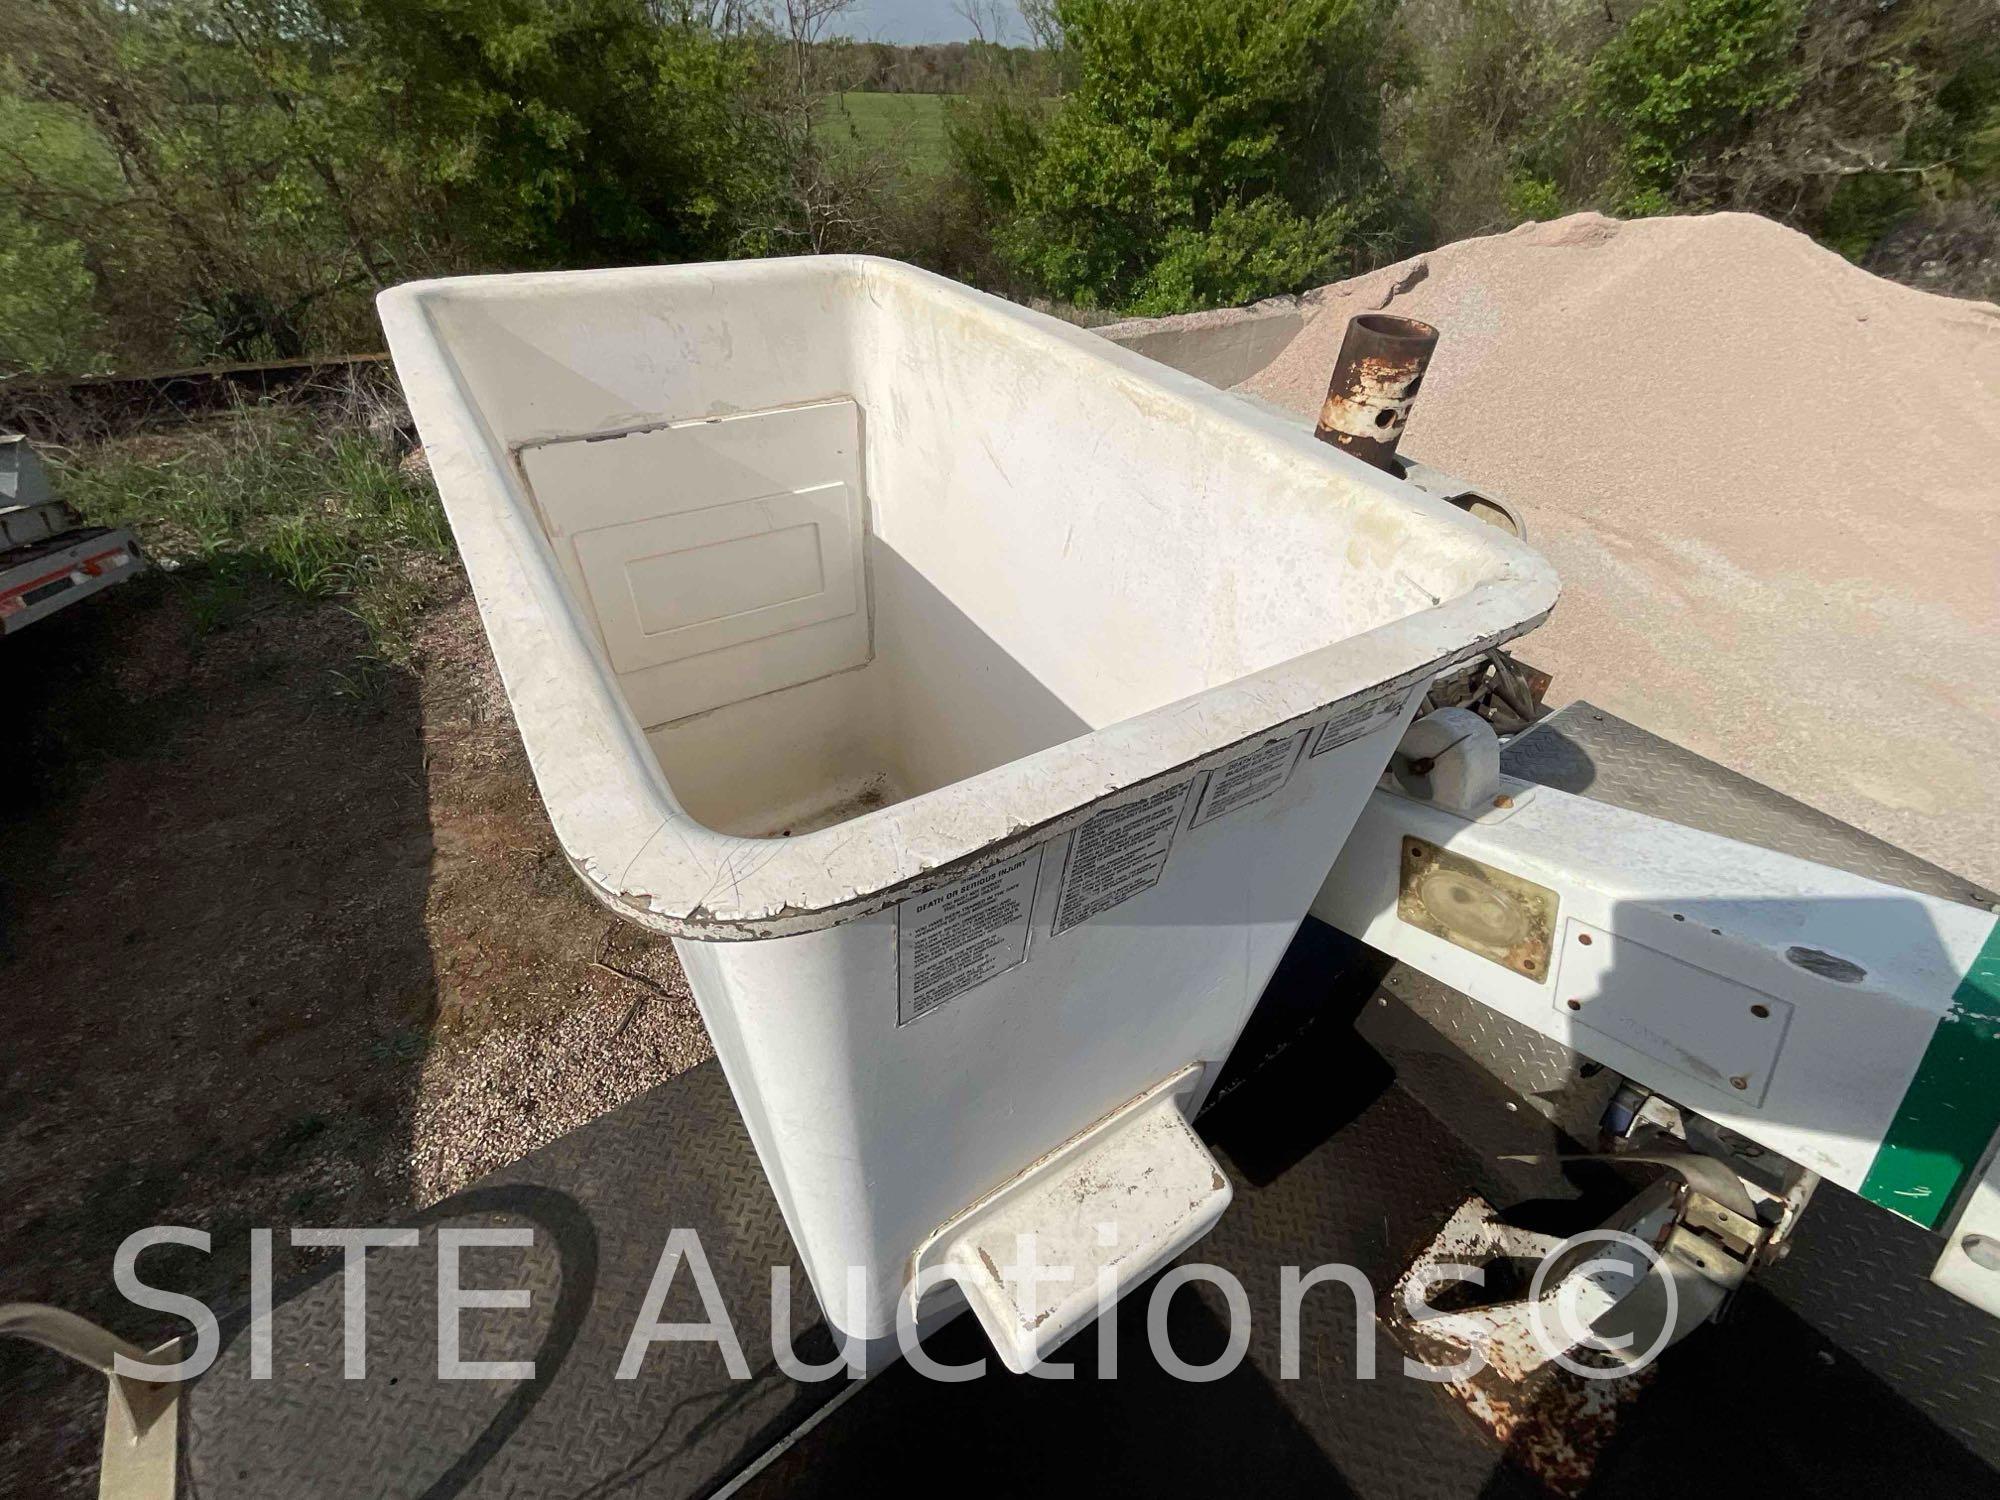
959, 937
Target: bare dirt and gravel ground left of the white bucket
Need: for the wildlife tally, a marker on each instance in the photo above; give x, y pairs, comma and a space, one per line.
273, 953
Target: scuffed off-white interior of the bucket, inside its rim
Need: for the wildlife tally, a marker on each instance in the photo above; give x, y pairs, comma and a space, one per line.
843, 543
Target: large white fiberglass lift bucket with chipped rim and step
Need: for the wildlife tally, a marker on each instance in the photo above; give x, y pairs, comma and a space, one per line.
977, 705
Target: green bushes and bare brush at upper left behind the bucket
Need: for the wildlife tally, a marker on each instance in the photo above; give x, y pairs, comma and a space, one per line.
241, 177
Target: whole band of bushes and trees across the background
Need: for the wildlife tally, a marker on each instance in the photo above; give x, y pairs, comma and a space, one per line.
193, 181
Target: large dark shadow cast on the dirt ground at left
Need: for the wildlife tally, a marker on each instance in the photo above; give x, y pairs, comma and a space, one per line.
215, 961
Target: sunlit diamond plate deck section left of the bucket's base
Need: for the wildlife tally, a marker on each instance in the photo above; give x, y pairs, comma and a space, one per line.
601, 1203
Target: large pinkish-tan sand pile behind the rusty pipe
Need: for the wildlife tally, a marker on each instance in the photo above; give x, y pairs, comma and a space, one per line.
1771, 485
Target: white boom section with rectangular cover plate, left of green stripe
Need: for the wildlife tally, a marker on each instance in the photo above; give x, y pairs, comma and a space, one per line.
1669, 939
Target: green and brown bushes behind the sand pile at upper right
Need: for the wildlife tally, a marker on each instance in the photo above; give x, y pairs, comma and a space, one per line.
1213, 151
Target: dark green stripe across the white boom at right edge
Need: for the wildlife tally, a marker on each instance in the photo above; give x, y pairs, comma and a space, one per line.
1953, 1107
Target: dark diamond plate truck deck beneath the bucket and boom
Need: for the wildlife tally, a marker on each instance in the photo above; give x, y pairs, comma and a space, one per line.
1351, 1123
